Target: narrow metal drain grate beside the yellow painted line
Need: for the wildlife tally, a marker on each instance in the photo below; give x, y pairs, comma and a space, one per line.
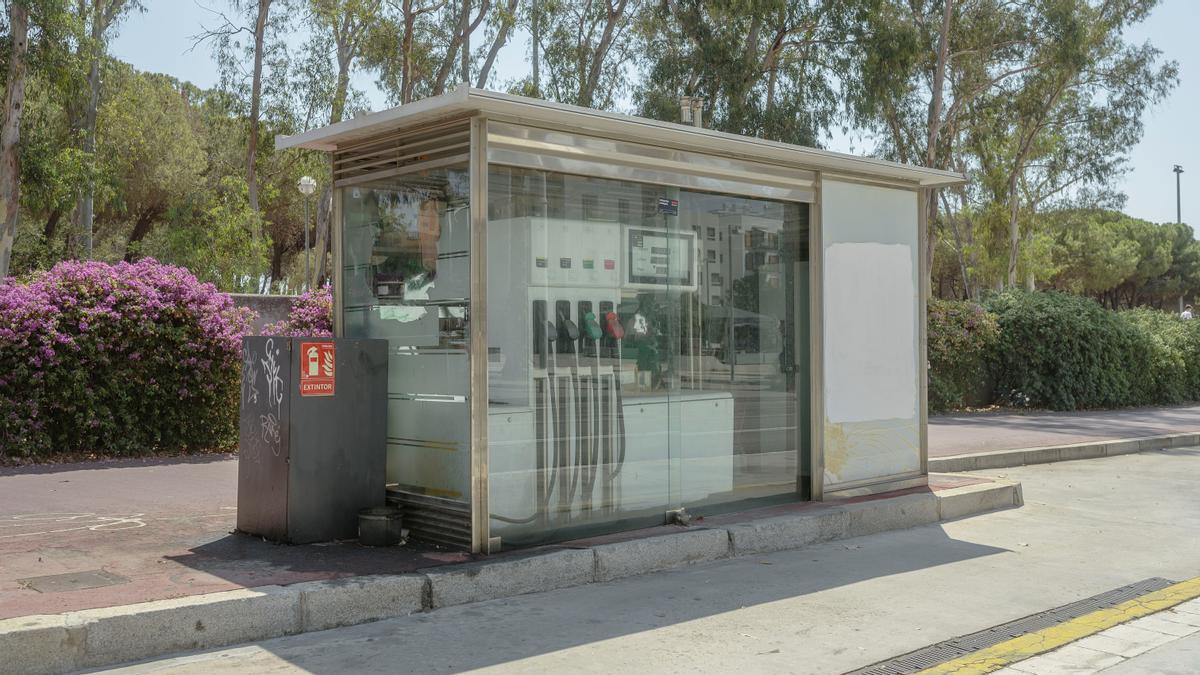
947, 650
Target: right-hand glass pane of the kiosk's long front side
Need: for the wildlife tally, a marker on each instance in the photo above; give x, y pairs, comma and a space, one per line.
739, 385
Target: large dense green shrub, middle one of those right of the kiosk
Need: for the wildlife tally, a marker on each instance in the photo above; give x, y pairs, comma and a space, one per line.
1066, 353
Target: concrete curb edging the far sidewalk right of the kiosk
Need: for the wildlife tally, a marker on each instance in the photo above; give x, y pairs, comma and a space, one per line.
1093, 450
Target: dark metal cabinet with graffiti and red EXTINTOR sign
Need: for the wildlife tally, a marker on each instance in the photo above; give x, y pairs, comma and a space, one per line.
311, 459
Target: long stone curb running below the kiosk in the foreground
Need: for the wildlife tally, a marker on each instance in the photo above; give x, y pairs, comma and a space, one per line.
121, 635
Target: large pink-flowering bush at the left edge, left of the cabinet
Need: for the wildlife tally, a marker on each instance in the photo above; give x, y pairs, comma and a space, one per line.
117, 359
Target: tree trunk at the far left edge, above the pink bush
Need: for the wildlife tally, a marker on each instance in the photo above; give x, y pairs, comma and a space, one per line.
10, 133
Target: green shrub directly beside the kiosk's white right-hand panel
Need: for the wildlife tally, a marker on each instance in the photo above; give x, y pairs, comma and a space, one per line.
962, 337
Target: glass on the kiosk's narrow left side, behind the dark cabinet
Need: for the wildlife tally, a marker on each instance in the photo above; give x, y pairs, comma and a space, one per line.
406, 258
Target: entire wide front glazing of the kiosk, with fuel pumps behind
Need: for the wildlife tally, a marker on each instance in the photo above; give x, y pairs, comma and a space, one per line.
643, 349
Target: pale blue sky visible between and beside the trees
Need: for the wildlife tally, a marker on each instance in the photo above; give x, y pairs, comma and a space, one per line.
161, 40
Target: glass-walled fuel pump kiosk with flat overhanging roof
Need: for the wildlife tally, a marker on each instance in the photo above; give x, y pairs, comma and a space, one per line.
598, 322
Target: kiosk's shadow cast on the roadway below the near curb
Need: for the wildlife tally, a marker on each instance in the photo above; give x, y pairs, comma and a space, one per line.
449, 640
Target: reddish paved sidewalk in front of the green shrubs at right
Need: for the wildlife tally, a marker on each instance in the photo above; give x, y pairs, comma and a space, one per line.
981, 433
